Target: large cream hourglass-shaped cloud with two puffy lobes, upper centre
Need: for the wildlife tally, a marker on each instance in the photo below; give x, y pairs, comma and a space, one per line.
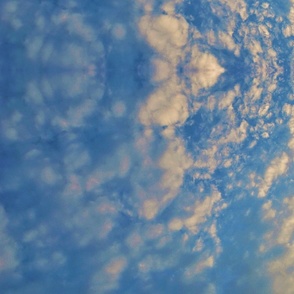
167, 105
